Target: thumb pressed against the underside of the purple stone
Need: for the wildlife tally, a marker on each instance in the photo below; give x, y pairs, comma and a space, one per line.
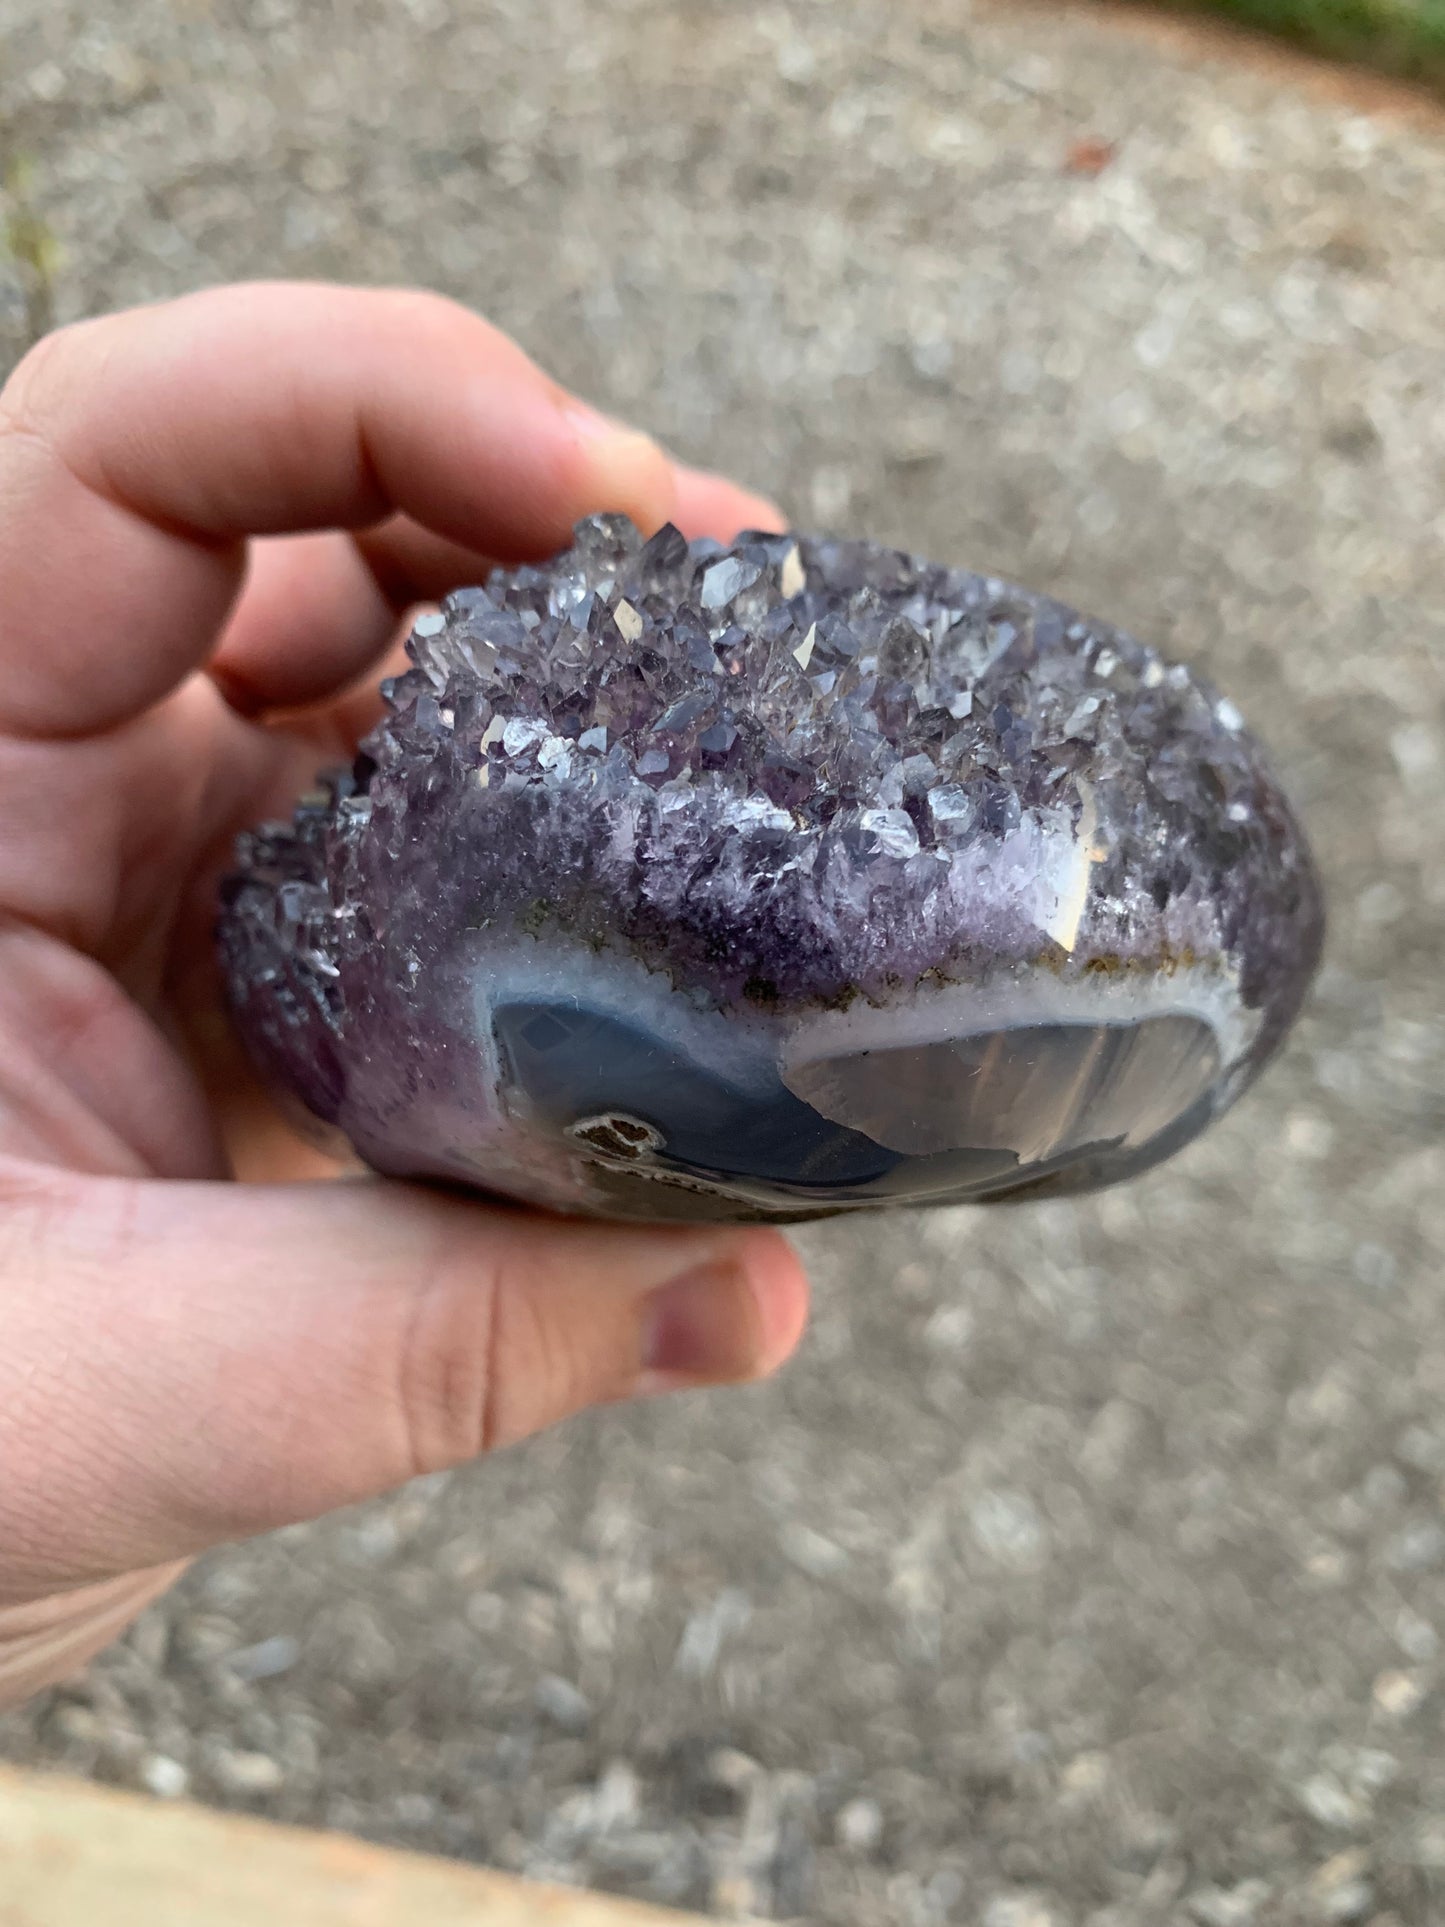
190, 1363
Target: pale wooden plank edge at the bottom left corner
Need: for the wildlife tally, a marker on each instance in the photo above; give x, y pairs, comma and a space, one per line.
84, 1857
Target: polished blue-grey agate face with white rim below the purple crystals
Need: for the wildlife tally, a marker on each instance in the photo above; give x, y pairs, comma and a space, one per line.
841, 1109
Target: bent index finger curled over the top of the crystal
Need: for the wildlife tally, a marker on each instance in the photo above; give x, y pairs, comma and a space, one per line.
138, 454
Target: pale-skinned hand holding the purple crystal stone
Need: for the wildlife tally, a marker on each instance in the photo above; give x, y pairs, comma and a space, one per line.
213, 519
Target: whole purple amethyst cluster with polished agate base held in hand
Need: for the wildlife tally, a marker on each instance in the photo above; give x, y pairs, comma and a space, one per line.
772, 882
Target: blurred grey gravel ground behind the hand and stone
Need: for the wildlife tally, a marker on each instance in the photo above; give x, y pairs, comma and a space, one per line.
1090, 1568
